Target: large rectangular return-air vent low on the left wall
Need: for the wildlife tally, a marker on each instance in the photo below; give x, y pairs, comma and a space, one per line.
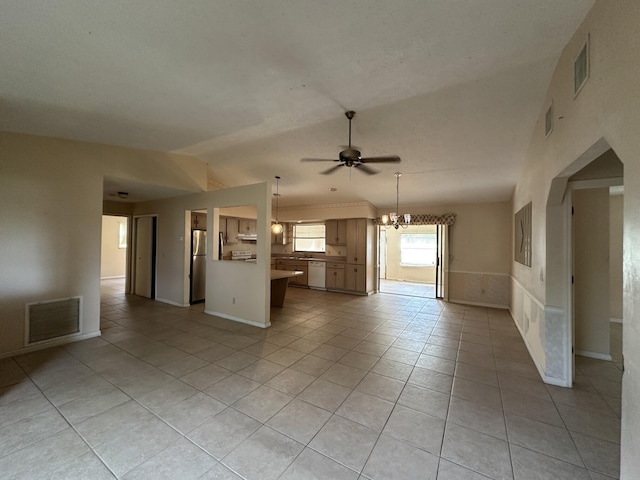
53, 319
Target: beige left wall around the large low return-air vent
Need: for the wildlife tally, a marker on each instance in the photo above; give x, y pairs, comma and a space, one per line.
51, 206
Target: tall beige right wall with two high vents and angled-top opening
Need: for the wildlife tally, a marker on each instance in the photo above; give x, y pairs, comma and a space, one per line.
606, 113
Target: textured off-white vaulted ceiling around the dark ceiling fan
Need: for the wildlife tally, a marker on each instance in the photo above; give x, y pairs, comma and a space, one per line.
453, 87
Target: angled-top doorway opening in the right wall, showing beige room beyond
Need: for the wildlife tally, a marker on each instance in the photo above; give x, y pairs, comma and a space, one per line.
596, 260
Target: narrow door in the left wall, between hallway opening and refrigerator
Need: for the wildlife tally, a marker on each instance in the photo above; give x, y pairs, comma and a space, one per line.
145, 257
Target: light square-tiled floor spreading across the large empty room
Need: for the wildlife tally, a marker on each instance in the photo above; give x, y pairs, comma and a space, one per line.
340, 387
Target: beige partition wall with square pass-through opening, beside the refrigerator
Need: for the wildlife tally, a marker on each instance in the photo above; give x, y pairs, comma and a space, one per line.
234, 290
